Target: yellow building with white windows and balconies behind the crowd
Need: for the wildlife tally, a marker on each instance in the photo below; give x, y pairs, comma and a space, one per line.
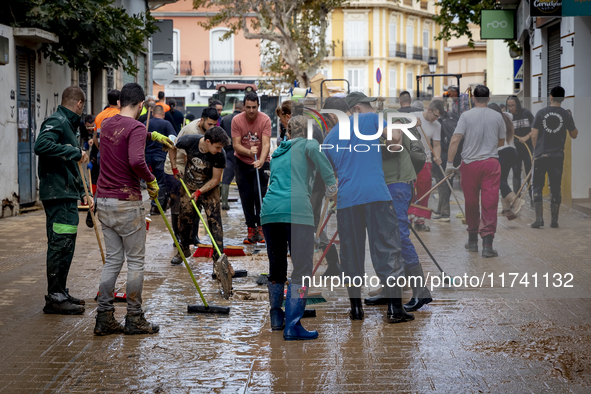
395, 36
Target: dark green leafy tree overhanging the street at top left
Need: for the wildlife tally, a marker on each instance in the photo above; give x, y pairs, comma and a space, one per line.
92, 33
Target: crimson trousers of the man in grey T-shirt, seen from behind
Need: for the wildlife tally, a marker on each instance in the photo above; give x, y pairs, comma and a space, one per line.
480, 182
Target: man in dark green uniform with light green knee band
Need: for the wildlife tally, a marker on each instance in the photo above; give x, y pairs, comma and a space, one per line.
60, 188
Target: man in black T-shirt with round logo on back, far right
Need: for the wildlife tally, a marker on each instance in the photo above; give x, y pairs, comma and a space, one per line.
548, 136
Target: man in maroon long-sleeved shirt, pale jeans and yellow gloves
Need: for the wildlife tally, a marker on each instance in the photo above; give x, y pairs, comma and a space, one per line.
121, 211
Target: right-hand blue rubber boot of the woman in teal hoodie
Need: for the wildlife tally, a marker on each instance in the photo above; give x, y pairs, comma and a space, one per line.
294, 310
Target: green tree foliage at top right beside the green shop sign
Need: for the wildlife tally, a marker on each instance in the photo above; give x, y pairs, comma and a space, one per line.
455, 16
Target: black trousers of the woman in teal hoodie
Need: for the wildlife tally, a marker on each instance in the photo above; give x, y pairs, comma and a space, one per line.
300, 240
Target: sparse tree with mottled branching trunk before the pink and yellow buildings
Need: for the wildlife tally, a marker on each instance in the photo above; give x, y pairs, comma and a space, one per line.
294, 31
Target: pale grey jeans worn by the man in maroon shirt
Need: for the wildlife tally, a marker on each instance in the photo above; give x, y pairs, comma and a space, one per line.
124, 229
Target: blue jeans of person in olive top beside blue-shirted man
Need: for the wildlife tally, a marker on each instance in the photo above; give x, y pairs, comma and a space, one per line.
401, 194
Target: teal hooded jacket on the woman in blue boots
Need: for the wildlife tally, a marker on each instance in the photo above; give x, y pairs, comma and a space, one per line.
293, 167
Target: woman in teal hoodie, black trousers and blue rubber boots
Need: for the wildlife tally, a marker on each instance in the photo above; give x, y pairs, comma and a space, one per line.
288, 220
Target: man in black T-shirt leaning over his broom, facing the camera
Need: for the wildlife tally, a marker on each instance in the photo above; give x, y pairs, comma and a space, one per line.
206, 160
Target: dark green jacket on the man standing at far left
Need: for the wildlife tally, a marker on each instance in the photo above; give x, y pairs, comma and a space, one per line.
59, 152
